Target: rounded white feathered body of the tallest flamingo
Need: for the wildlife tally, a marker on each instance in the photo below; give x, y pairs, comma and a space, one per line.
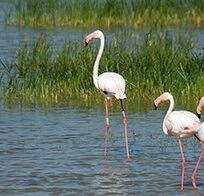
111, 83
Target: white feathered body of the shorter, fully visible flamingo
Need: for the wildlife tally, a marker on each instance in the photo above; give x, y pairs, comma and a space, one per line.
182, 124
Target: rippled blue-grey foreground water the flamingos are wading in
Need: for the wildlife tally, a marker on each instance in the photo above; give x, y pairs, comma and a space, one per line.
59, 151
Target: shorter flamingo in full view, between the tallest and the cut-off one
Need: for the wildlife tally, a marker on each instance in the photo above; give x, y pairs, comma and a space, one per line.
182, 124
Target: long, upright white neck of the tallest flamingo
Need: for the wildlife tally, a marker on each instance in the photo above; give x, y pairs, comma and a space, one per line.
96, 64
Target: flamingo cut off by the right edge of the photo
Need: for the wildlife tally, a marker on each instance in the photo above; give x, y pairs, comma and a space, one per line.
200, 137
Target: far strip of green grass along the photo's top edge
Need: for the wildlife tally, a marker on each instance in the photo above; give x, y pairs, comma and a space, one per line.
107, 13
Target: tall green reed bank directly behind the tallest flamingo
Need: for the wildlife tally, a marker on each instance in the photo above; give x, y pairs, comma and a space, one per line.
159, 64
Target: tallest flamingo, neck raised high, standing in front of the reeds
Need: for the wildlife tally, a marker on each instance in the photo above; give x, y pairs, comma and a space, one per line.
109, 84
